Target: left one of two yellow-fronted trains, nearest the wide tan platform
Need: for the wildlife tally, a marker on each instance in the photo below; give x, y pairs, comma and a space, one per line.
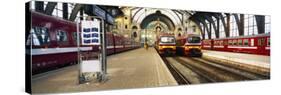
166, 44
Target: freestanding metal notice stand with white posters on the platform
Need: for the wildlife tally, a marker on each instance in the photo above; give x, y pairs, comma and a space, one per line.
90, 32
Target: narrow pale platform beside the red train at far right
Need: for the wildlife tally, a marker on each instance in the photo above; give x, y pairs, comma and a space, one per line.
256, 63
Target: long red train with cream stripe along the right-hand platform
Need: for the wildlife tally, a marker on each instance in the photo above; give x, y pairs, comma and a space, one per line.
256, 44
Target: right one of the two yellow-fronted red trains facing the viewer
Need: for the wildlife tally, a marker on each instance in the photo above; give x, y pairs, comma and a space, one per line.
189, 45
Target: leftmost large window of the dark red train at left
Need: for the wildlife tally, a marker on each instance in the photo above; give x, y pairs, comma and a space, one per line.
39, 36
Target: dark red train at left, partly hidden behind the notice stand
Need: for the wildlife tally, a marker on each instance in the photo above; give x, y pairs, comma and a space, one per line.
54, 44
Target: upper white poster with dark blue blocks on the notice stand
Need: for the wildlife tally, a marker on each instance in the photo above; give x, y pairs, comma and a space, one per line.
90, 32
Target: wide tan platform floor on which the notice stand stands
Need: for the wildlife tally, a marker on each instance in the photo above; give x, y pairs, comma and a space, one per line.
137, 68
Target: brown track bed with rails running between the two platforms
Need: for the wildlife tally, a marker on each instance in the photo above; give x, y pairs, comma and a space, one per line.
198, 70
